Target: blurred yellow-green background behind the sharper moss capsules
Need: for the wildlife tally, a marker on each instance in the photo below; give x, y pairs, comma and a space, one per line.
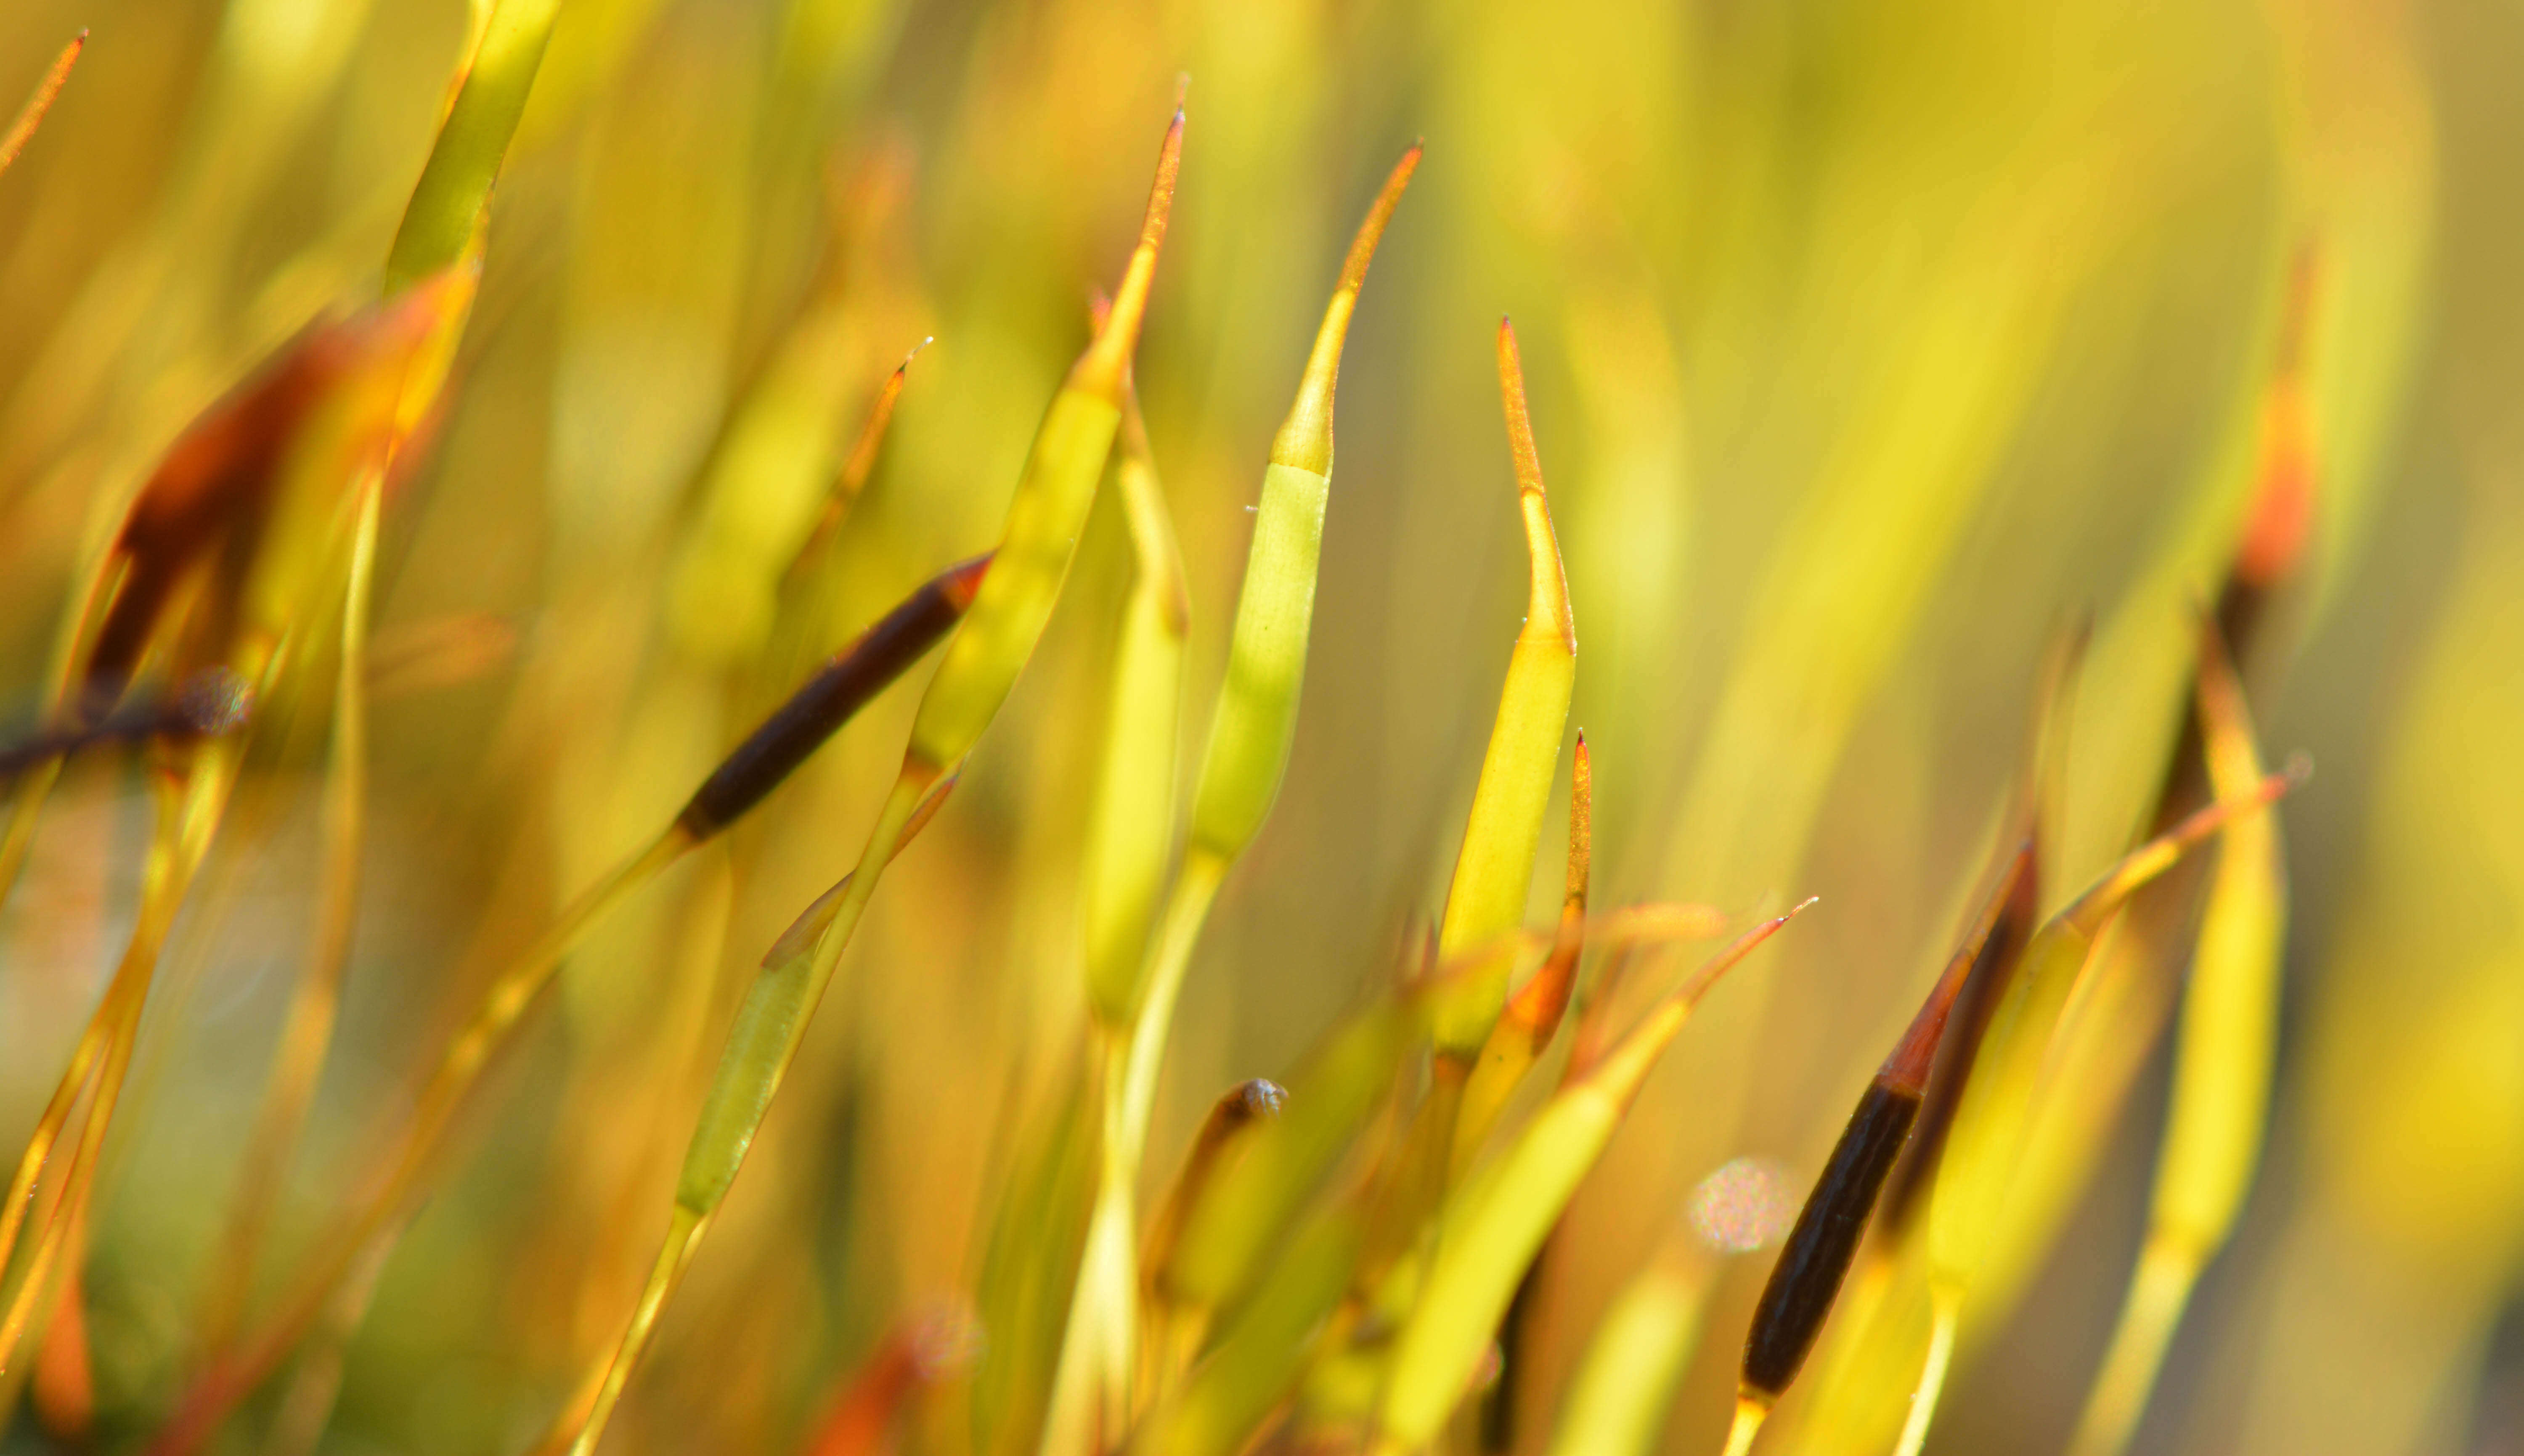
1869, 344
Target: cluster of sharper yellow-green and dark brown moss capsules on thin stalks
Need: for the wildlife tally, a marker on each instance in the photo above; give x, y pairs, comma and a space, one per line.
1334, 1265
